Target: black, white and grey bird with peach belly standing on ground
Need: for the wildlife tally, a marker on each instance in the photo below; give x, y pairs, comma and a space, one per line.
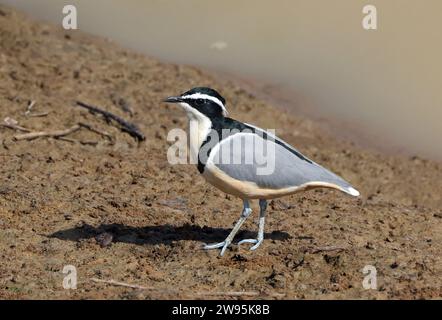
212, 138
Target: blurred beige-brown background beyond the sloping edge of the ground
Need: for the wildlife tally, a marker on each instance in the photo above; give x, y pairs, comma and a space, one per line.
313, 53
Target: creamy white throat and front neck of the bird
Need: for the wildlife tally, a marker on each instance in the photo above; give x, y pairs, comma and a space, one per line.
199, 129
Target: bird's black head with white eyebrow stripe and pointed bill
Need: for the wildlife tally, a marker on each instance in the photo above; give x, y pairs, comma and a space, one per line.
201, 100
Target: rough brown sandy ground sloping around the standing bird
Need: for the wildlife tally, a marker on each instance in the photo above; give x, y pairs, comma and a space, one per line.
117, 210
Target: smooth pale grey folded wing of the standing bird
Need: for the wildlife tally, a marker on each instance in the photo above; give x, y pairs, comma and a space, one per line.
270, 163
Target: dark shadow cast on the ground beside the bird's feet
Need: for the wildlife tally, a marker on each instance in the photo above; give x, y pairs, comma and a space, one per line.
162, 234
